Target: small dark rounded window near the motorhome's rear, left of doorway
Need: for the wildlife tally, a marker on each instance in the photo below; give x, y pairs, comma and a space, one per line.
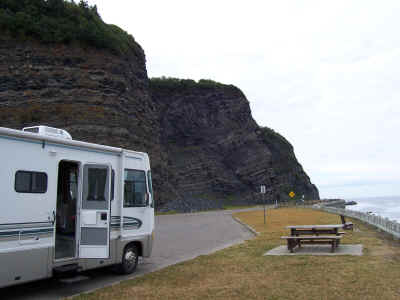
30, 182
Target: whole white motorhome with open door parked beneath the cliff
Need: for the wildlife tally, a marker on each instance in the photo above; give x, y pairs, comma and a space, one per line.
68, 205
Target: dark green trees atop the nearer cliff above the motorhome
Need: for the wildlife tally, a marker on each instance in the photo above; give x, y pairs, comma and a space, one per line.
60, 21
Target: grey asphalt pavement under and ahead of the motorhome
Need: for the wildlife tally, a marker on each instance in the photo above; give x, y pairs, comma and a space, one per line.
178, 238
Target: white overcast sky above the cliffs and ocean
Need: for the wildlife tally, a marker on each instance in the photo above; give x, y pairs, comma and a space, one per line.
324, 74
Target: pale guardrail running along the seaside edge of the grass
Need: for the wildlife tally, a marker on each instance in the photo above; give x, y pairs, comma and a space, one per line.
384, 224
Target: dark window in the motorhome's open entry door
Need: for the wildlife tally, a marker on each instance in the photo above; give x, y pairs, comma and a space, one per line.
97, 178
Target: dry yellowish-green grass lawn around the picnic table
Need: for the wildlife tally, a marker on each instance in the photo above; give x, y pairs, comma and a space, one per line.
242, 272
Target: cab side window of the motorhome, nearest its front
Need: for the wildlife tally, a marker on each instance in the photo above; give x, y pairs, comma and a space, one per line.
134, 188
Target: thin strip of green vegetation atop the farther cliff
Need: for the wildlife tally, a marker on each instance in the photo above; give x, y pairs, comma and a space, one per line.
176, 83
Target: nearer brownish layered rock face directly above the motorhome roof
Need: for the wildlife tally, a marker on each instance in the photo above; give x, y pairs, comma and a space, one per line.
95, 95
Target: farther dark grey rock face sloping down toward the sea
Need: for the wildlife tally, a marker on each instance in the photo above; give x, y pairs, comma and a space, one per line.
217, 151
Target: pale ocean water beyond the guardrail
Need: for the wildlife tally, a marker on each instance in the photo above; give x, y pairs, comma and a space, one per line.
388, 207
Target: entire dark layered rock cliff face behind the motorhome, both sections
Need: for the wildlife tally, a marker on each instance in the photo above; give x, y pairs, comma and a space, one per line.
205, 148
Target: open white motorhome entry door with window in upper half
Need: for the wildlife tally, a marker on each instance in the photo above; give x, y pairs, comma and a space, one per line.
95, 212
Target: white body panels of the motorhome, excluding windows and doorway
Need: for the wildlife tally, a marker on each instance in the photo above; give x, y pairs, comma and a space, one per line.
29, 221
